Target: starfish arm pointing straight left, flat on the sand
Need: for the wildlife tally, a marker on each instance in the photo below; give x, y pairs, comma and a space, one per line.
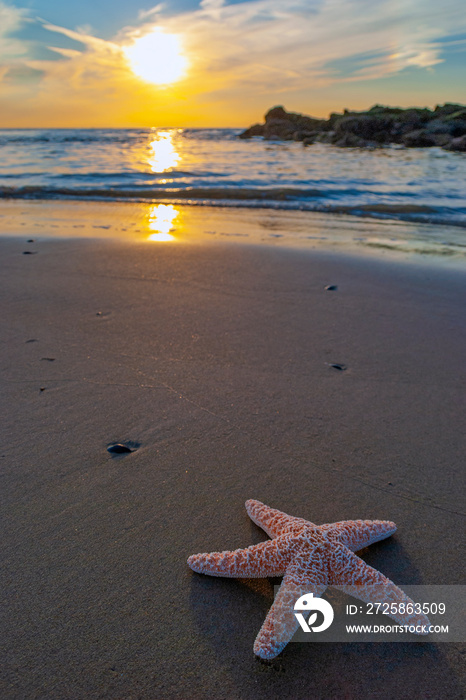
259, 561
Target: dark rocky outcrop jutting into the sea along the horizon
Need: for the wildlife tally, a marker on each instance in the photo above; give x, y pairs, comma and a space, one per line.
445, 126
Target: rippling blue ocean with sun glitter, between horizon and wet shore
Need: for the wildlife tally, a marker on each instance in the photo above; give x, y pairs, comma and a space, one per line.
213, 167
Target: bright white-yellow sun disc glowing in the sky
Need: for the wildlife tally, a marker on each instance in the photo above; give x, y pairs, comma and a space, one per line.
157, 58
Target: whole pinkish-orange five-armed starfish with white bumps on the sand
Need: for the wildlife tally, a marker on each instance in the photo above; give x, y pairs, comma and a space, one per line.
310, 558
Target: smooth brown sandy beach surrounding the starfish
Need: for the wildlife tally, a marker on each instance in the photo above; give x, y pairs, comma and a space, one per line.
214, 363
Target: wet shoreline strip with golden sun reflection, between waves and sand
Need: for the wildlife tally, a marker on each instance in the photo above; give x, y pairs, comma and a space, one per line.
400, 241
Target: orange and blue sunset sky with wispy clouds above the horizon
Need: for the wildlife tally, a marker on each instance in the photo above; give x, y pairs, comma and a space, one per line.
213, 63
